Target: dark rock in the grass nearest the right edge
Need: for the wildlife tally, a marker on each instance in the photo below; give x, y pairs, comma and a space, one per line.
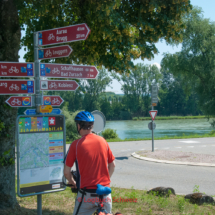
200, 198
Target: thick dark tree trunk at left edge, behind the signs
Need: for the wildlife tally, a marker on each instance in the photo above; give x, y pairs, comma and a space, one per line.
10, 34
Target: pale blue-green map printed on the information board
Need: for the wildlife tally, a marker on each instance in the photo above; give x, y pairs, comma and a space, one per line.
34, 150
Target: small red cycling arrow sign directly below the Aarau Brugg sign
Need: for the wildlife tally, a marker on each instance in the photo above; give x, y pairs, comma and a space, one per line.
54, 52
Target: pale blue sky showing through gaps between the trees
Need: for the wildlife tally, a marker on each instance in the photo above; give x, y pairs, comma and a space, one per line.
208, 7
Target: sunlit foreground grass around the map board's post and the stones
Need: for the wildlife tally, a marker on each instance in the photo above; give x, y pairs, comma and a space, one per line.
62, 203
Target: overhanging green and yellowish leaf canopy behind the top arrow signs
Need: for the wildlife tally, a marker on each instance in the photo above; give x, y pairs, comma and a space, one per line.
120, 30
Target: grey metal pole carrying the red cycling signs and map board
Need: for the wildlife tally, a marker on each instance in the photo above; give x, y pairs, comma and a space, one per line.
37, 102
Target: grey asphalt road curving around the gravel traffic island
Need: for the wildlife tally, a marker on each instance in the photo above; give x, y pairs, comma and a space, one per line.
139, 174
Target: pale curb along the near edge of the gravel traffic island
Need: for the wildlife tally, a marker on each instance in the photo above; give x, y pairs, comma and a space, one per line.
171, 162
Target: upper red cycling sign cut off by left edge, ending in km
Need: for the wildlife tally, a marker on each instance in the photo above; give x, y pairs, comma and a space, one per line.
14, 69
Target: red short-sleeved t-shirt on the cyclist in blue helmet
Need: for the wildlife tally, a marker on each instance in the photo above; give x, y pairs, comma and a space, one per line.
91, 153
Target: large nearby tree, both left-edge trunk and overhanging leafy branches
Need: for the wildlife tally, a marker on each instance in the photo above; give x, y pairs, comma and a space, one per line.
120, 31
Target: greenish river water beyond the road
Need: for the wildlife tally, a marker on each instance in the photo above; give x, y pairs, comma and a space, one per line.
179, 127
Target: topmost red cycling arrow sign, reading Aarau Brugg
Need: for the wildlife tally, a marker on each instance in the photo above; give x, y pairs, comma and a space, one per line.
70, 33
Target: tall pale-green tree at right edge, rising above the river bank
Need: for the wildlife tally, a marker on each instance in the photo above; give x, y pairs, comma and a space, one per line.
195, 62
